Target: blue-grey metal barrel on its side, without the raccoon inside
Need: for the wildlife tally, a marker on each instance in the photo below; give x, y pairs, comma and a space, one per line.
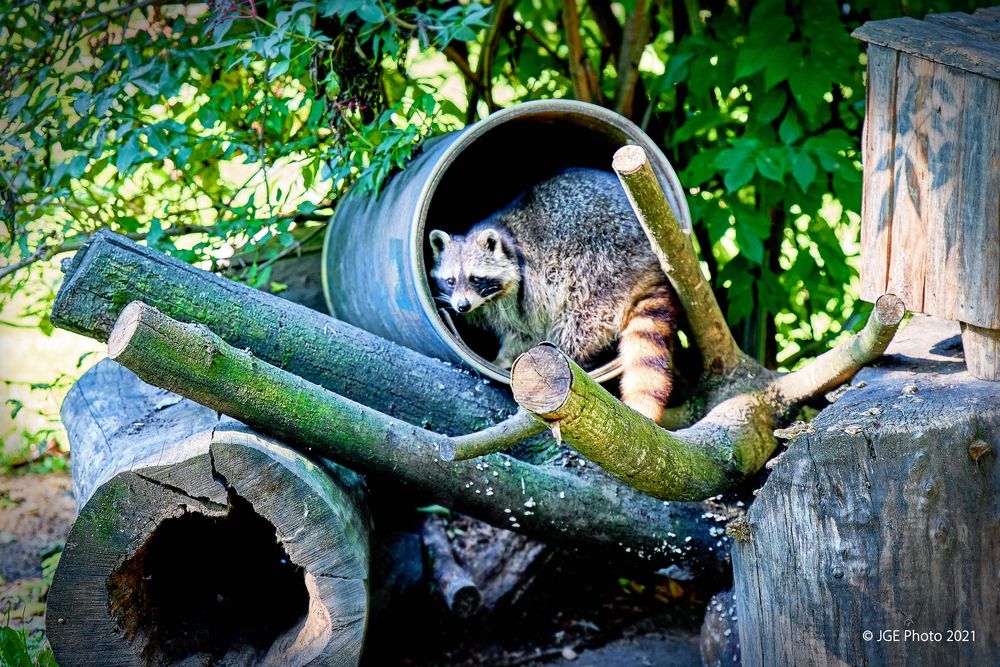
376, 256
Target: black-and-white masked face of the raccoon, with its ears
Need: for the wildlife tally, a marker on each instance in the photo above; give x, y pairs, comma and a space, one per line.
474, 269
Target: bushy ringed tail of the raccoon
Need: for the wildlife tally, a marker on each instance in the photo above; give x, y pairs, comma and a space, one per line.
645, 349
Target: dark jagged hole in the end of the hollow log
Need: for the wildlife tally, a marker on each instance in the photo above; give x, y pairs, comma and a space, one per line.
211, 586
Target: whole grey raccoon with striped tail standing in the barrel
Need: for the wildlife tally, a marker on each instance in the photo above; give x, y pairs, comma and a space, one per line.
567, 262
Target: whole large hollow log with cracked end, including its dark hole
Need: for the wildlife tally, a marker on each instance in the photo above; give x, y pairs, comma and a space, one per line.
199, 541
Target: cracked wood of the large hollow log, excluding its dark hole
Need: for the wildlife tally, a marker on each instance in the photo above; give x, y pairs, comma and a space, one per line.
143, 457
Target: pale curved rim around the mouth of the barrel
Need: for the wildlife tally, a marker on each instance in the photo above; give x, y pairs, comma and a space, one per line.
659, 162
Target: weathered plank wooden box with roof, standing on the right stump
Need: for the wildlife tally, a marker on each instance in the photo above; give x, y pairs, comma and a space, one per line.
930, 223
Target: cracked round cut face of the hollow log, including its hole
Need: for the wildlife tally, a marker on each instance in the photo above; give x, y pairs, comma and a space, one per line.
181, 562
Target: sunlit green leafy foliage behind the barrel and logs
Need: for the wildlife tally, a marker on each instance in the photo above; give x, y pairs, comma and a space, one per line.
206, 129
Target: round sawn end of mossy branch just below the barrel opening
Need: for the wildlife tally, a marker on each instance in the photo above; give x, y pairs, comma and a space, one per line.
541, 379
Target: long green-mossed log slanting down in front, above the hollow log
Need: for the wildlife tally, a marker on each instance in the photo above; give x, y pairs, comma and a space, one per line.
578, 505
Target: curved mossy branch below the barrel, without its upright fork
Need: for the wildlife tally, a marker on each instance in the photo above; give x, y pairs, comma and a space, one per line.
730, 443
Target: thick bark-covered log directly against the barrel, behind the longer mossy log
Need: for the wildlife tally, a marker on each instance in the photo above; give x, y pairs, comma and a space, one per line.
112, 271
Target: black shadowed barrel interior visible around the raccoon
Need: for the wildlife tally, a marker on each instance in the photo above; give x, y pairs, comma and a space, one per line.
499, 164
